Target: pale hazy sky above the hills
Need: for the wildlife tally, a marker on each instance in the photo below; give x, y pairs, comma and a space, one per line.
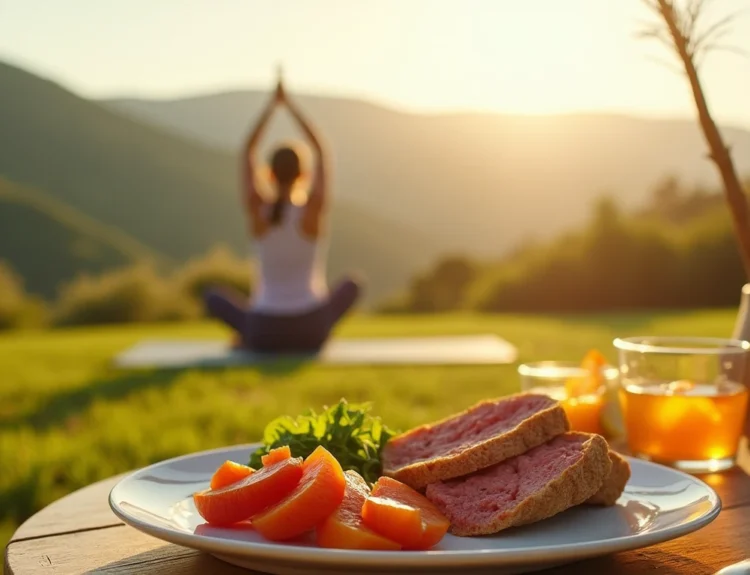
518, 56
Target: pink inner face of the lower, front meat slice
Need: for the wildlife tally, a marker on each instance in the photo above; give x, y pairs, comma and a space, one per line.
482, 497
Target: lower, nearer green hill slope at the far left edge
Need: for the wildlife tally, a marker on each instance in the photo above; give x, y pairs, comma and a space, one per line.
46, 240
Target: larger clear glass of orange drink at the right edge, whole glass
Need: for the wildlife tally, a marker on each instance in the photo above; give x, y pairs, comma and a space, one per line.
683, 399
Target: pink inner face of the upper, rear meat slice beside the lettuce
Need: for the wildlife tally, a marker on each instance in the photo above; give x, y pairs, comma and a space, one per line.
455, 435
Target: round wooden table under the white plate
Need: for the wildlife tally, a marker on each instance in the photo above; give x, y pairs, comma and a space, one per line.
79, 534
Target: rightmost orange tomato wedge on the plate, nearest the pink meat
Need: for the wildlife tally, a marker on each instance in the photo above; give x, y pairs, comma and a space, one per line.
398, 512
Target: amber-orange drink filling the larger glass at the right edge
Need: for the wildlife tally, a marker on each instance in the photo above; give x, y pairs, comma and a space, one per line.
684, 423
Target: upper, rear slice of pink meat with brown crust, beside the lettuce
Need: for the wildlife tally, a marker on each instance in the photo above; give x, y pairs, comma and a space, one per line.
487, 433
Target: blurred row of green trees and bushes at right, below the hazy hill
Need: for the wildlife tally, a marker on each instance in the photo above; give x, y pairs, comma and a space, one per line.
678, 251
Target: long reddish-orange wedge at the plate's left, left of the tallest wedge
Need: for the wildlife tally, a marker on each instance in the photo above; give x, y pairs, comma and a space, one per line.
259, 490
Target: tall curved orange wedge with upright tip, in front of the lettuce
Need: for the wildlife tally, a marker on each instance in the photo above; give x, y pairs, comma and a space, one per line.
319, 493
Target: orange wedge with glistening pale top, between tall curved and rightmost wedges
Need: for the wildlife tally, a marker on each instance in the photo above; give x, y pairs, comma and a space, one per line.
344, 528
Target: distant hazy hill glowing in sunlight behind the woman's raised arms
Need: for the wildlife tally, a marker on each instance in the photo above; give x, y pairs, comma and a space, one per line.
474, 182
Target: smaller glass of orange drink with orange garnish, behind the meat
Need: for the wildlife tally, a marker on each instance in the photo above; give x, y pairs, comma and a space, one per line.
560, 380
